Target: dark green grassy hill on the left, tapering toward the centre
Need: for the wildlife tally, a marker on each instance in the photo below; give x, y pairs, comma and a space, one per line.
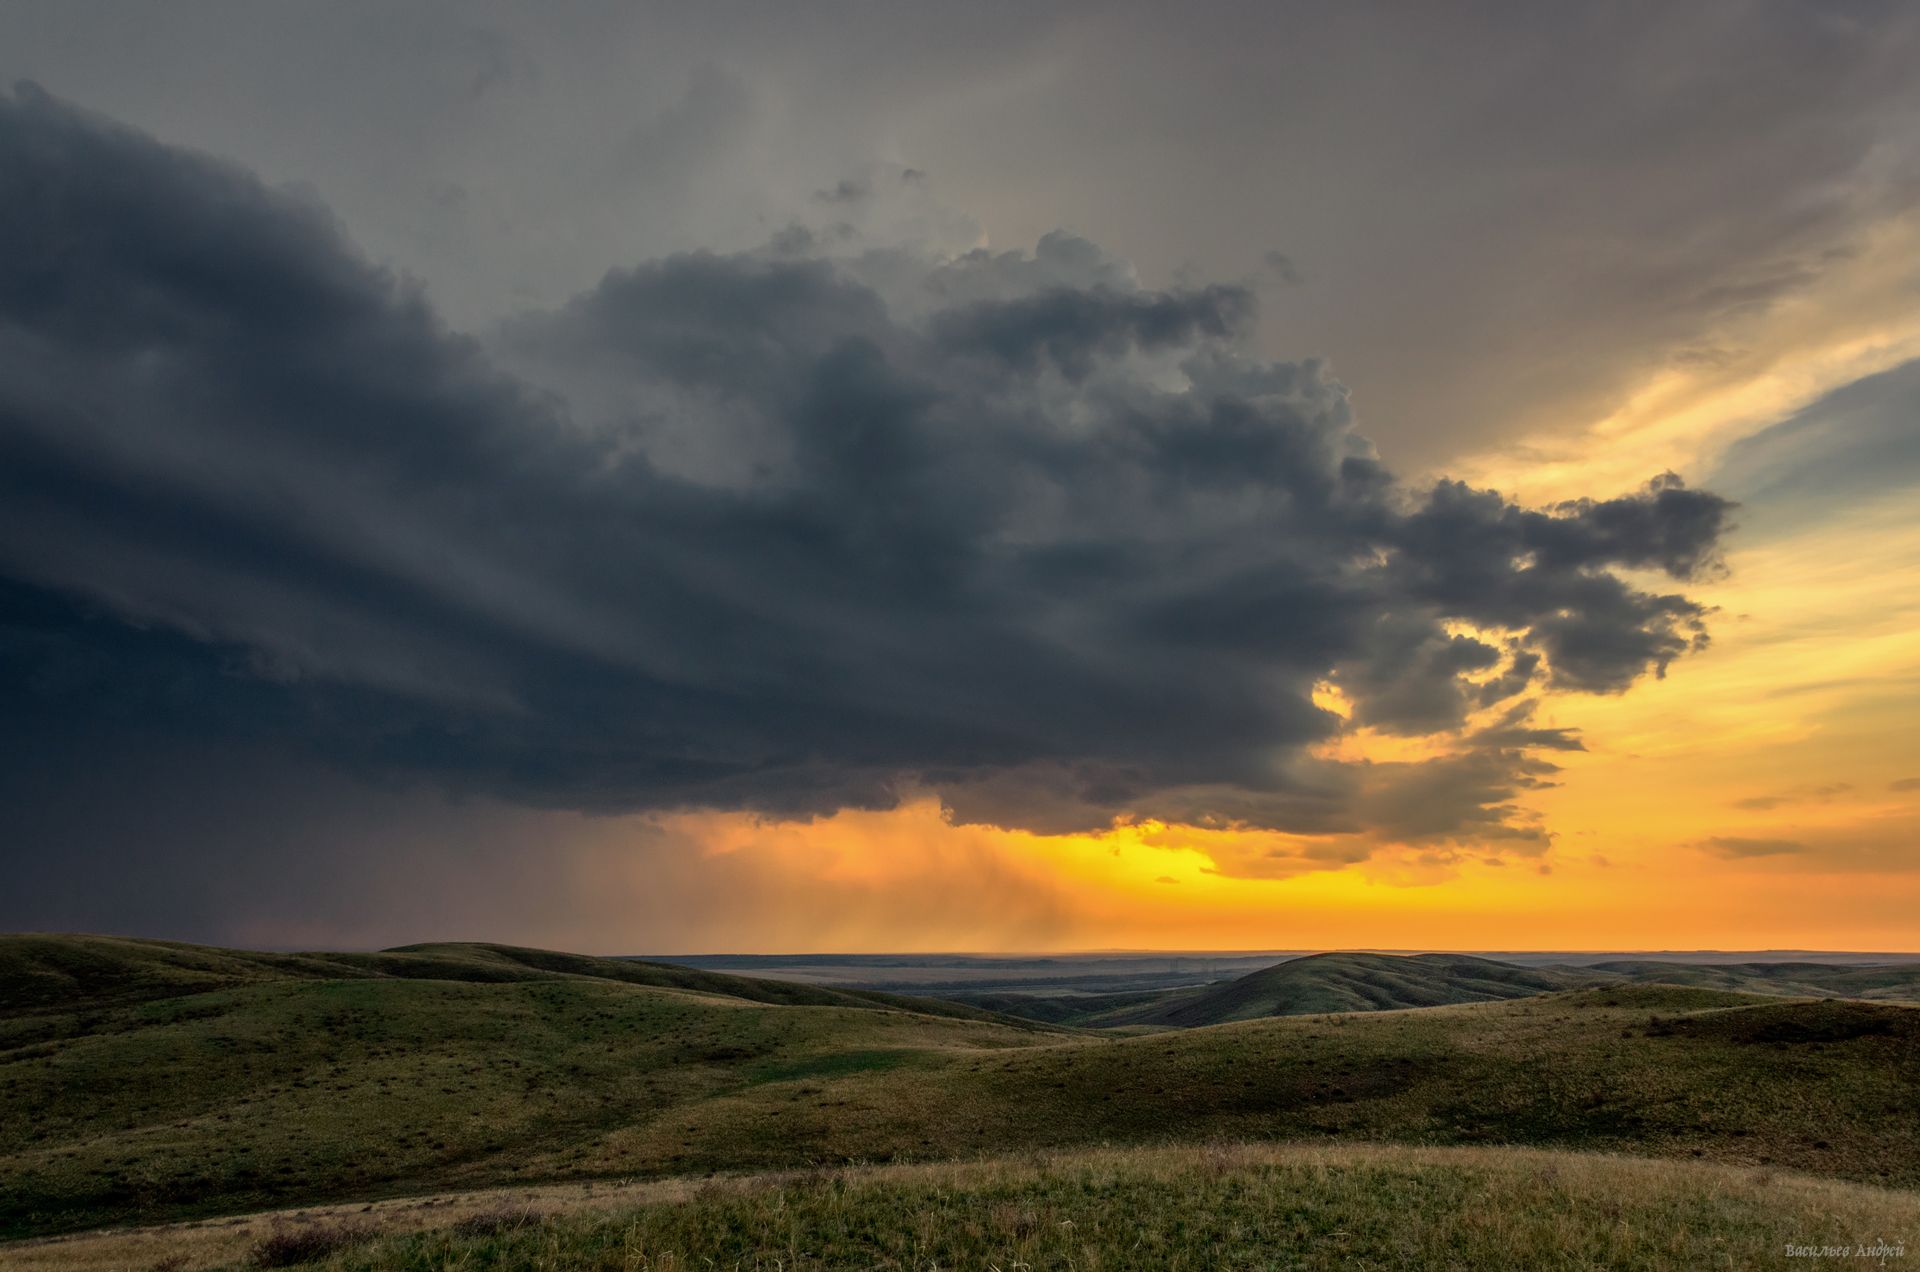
145, 1096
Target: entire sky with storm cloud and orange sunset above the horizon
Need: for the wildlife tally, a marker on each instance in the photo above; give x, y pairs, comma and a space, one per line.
756, 477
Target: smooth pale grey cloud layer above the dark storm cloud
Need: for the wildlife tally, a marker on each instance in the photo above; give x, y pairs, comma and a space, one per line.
1506, 220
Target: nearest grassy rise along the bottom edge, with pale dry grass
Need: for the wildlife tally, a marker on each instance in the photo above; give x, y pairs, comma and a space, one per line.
1195, 1208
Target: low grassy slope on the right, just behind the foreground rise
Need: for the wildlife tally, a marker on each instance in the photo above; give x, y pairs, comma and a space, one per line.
1817, 1087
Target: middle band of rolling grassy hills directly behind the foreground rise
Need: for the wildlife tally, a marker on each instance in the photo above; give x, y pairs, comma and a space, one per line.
139, 1096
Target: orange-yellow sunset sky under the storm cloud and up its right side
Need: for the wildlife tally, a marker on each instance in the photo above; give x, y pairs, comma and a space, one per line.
1794, 727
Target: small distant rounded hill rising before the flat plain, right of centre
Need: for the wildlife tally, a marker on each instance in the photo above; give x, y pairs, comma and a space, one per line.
1349, 983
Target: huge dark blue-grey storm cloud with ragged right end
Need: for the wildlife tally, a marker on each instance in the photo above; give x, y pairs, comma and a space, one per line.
752, 533
